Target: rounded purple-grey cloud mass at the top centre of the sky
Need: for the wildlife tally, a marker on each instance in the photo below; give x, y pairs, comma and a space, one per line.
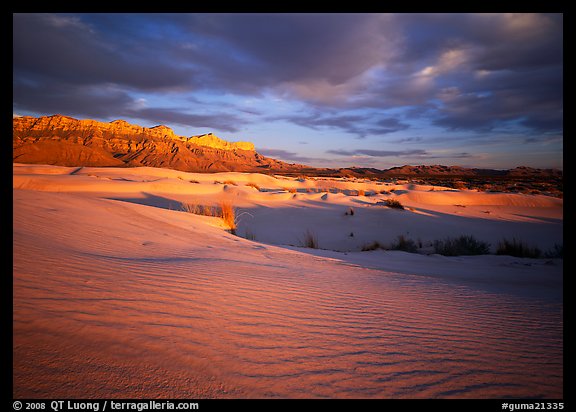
295, 47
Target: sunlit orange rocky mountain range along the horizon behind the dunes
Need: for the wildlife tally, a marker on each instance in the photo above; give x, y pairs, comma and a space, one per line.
65, 141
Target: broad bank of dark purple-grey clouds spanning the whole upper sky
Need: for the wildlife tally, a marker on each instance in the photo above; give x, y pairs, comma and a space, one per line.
472, 72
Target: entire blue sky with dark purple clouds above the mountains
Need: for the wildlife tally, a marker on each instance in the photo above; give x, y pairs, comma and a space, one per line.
325, 90
